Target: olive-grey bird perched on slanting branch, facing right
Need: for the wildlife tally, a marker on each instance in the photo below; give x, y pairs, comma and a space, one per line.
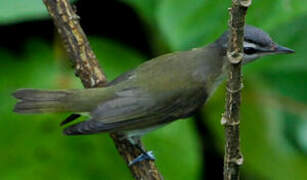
164, 89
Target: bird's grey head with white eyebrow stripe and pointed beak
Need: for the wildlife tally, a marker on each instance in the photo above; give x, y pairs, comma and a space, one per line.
257, 43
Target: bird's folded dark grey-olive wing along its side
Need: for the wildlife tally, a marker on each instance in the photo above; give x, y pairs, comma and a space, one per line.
132, 109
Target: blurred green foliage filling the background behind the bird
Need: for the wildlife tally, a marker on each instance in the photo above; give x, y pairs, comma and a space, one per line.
274, 108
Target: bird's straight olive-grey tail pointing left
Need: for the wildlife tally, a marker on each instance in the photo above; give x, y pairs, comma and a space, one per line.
42, 101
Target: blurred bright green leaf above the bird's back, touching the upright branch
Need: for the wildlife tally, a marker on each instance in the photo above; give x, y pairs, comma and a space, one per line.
188, 24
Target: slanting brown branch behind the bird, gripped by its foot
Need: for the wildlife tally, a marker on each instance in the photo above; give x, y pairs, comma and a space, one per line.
88, 70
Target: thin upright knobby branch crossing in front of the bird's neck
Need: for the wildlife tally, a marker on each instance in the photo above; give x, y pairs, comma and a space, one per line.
231, 118
